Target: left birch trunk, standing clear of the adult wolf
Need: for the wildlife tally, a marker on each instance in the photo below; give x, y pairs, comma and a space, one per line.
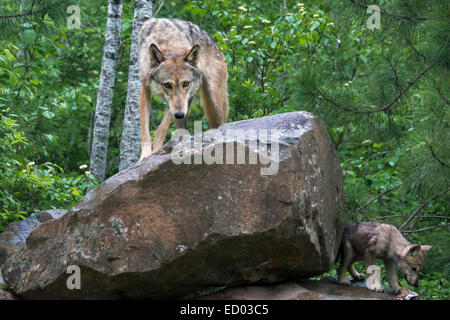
105, 90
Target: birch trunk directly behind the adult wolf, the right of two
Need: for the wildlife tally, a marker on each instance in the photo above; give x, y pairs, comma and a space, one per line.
130, 145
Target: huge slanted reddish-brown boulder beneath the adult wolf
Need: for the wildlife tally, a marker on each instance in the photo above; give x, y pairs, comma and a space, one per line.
161, 229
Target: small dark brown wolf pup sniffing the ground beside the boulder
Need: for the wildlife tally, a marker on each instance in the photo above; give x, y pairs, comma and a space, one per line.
368, 241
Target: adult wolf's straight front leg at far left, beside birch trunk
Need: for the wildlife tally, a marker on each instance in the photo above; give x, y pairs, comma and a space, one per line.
144, 112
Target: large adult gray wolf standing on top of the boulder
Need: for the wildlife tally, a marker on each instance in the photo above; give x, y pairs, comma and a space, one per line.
176, 59
